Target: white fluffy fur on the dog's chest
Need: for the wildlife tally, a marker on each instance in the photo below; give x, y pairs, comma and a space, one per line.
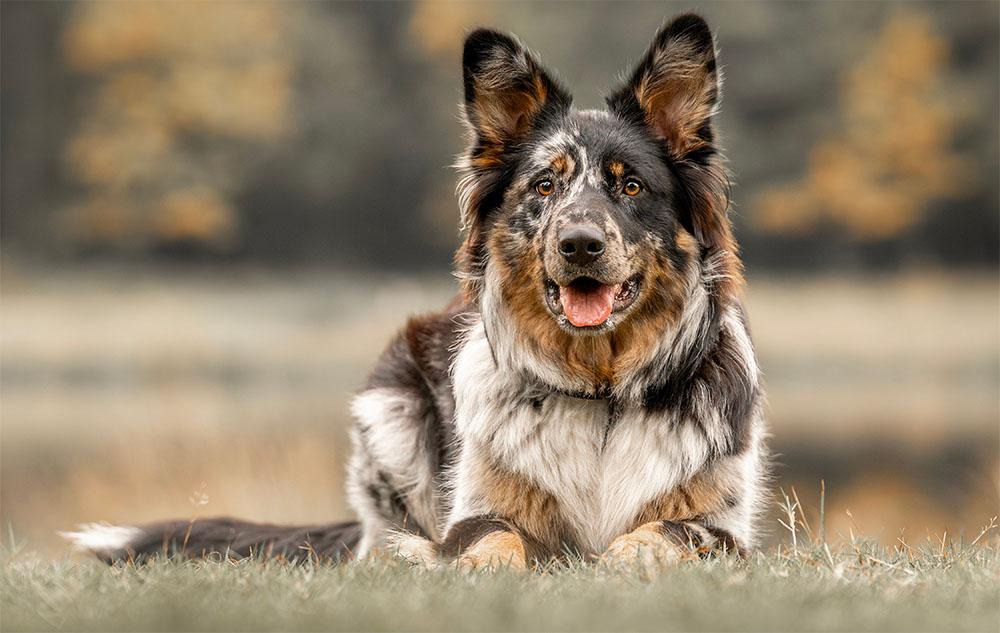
560, 446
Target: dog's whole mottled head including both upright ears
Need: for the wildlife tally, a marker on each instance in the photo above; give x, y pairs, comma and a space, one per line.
591, 221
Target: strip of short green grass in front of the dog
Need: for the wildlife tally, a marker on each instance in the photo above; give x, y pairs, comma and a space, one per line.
856, 587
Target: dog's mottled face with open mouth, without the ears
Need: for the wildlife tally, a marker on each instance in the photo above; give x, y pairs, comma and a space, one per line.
590, 221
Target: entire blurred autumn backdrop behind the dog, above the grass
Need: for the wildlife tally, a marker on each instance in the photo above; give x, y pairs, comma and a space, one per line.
215, 215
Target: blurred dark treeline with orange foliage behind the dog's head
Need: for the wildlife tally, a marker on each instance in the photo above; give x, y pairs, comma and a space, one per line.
321, 132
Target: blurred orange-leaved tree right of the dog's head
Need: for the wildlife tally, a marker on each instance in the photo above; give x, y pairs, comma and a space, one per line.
893, 152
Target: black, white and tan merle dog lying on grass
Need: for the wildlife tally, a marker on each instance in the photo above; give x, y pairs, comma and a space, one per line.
593, 391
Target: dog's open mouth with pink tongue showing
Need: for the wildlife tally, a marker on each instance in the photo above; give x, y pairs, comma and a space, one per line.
586, 302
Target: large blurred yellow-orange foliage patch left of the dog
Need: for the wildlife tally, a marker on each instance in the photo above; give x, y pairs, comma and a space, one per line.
180, 94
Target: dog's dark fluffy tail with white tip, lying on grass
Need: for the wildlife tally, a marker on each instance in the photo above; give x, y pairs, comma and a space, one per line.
228, 538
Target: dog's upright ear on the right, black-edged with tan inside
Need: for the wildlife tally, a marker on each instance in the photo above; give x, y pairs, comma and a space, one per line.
675, 88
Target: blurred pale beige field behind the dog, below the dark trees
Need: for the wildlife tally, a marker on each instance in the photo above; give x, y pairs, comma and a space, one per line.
131, 396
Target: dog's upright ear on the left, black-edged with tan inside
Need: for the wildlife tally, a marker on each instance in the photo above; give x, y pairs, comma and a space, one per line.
507, 93
